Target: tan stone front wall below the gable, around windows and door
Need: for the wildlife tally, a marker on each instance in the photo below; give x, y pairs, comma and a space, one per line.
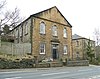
47, 38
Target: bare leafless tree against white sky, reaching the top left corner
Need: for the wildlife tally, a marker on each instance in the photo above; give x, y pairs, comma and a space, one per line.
8, 17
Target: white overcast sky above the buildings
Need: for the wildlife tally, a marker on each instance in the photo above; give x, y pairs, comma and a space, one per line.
83, 15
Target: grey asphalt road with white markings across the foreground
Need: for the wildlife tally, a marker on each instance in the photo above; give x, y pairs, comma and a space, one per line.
87, 72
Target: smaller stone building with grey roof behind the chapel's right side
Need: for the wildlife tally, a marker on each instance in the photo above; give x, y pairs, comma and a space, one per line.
79, 46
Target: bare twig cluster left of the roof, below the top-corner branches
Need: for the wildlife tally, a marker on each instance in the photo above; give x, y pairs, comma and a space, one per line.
11, 18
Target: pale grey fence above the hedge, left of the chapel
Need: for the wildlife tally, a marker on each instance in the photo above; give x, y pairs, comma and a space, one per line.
15, 49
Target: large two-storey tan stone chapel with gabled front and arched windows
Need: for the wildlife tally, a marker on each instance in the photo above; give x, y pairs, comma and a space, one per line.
49, 34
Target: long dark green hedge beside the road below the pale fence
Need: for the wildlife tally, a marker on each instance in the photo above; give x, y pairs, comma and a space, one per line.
13, 64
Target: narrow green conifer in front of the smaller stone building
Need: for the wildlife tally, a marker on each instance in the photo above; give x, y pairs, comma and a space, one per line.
90, 51
